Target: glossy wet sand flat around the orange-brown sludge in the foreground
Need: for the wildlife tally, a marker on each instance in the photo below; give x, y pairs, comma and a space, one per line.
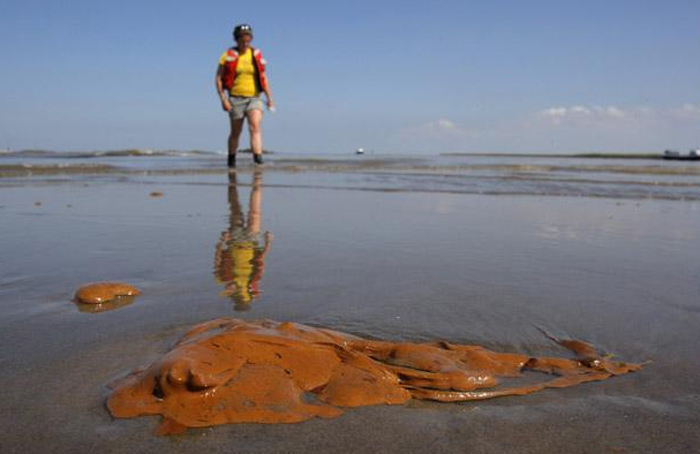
410, 266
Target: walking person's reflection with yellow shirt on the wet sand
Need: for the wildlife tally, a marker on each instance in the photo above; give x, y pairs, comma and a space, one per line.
240, 257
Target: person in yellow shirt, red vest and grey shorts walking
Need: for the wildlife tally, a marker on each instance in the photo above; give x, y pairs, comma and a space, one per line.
240, 79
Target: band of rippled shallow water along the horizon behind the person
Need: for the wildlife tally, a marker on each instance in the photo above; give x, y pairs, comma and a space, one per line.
467, 174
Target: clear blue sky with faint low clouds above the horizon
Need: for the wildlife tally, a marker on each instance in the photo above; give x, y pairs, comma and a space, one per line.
389, 76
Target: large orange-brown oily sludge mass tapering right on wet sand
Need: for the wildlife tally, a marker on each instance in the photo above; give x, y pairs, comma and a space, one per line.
229, 370
